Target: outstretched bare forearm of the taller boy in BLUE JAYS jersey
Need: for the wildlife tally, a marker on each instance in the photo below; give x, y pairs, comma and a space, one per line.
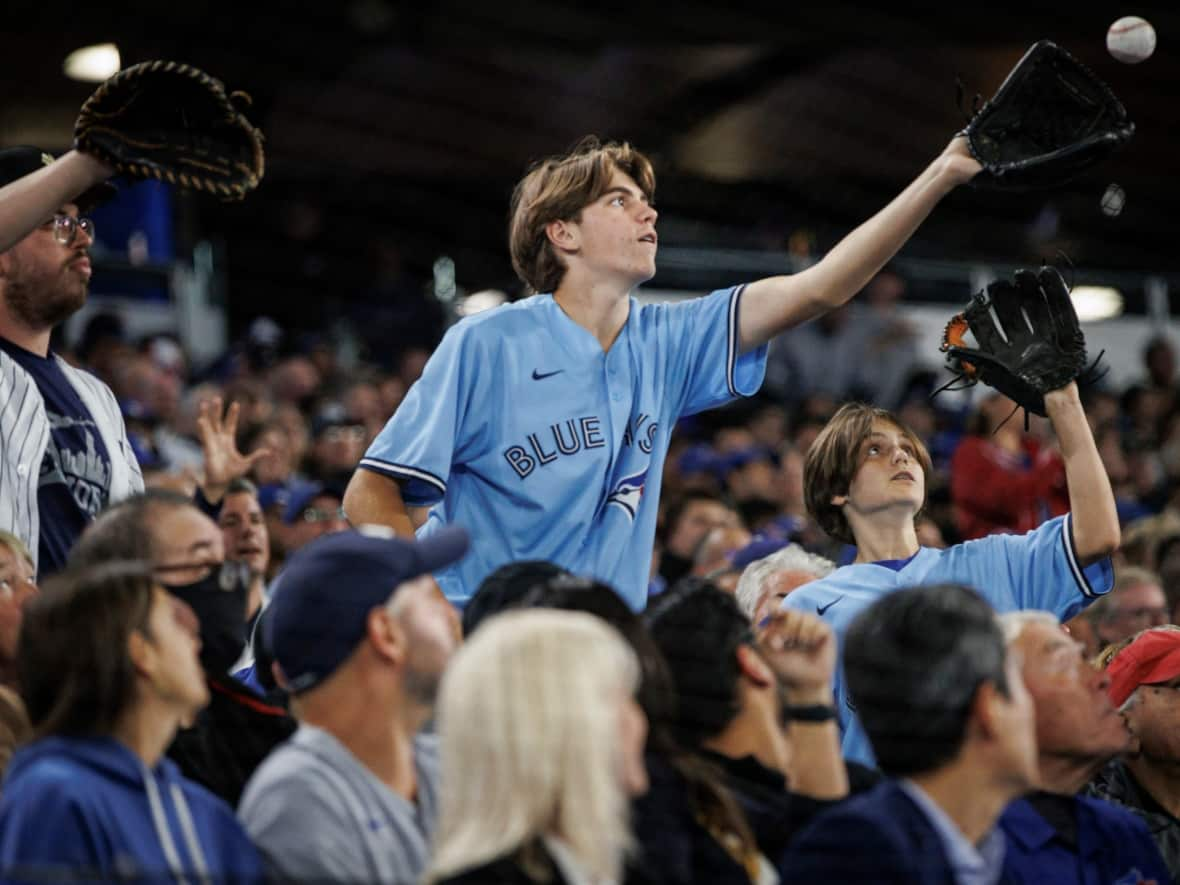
777, 304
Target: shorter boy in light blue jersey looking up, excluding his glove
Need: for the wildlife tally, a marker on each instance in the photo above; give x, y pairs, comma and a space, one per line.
866, 482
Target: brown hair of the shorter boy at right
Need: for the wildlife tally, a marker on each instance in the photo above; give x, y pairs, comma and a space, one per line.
835, 457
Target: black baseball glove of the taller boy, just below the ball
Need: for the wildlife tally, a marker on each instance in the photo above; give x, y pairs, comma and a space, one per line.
1050, 122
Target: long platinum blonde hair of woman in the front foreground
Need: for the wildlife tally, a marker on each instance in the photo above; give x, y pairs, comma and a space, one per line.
529, 725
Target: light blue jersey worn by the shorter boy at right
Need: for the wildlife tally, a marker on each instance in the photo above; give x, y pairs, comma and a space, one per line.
1038, 571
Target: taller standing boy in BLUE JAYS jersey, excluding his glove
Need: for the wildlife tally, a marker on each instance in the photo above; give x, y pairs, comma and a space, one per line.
543, 427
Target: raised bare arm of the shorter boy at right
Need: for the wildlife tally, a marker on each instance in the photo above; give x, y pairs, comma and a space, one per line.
1094, 517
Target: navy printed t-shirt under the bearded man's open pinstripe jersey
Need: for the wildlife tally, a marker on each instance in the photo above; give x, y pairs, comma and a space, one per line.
76, 470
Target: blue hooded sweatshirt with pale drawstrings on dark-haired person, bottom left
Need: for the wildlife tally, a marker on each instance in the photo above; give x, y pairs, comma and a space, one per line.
88, 809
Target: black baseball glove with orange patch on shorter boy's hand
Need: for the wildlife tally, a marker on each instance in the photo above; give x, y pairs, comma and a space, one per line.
1037, 348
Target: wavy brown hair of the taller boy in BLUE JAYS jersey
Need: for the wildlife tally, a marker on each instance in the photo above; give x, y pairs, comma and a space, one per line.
559, 189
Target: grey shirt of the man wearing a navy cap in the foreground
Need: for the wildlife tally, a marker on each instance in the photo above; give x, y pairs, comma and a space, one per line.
318, 815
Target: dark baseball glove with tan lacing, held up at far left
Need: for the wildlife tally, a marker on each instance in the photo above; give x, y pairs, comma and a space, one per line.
168, 121
